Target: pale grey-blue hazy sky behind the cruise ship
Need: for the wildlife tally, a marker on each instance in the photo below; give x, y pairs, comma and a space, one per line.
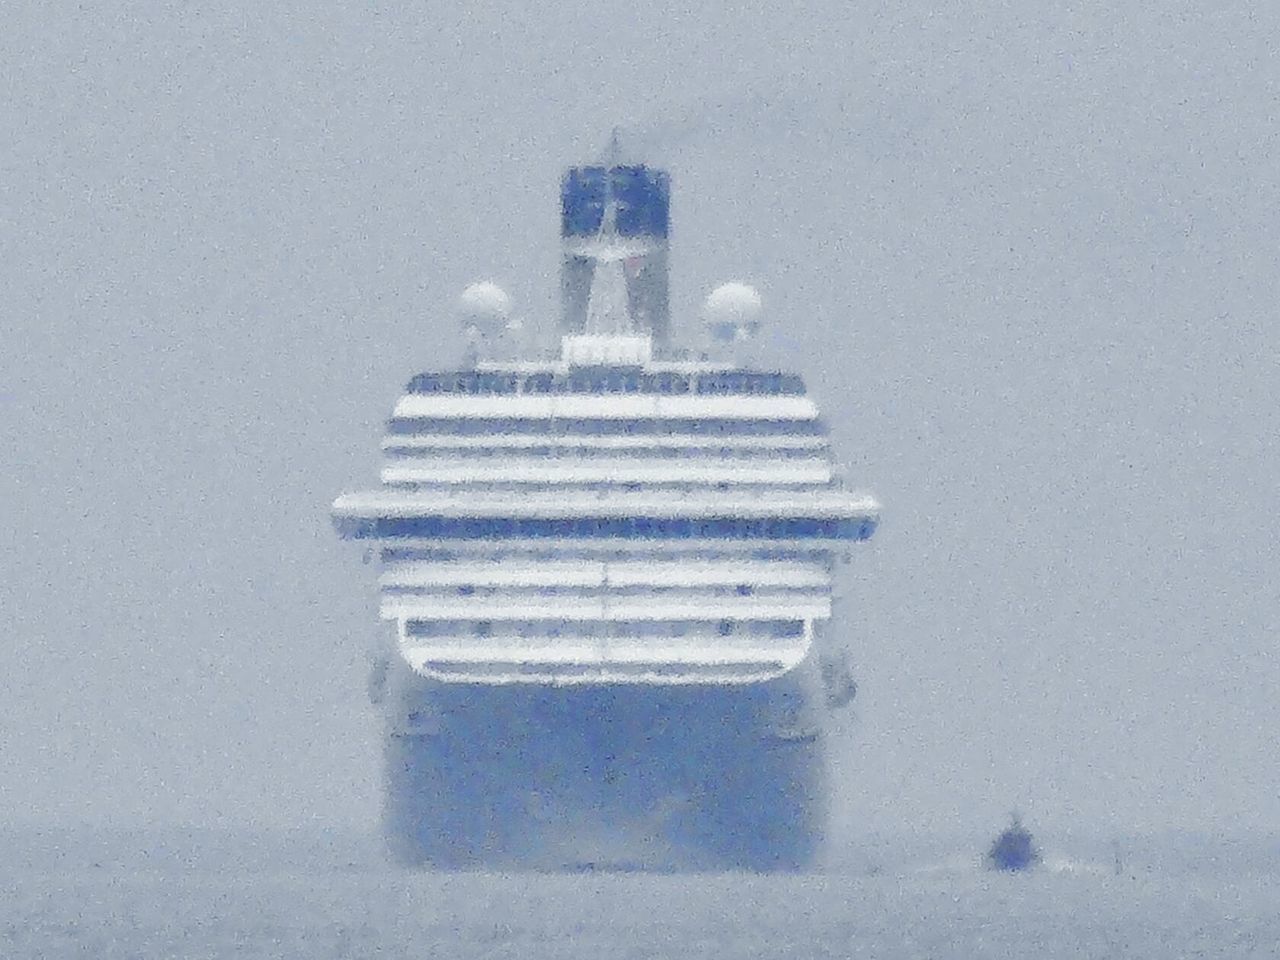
1026, 257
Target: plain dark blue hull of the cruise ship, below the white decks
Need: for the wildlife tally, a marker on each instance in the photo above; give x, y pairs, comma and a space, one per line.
606, 776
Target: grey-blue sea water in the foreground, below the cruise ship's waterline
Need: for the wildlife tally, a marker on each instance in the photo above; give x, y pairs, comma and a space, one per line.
947, 909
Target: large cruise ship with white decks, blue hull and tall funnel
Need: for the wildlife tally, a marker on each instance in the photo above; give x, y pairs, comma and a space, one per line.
607, 570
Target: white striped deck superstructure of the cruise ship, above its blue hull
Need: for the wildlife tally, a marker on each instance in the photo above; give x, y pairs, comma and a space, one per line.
693, 555
